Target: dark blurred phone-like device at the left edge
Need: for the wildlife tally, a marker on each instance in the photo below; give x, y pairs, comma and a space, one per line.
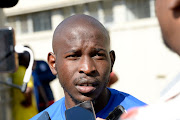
8, 58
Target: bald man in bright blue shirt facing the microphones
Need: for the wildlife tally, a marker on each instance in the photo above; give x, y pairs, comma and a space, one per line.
83, 62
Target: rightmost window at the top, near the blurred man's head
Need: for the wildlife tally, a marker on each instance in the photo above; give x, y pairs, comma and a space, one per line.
137, 9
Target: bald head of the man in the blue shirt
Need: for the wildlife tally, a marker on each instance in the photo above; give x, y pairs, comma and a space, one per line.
82, 58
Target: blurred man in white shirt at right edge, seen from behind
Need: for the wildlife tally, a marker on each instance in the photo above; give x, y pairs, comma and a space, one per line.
168, 13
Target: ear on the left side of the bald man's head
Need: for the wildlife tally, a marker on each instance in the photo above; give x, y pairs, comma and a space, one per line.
51, 61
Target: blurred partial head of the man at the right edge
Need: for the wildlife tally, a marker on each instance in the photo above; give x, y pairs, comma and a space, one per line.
168, 13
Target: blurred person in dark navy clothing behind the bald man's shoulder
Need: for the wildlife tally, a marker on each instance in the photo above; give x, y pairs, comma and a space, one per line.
42, 77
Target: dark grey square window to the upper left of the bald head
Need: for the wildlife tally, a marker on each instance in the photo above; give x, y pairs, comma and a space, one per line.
41, 21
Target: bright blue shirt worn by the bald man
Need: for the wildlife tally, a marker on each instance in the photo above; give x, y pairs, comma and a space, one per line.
57, 110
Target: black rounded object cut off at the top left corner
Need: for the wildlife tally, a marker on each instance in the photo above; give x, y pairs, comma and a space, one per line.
8, 3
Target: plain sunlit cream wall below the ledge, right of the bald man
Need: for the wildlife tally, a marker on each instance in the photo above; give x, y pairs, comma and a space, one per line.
143, 63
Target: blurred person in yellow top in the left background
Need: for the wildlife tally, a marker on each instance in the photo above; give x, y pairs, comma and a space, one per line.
23, 104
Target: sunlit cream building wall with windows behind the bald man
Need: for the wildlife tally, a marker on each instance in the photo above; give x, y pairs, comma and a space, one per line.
143, 64
